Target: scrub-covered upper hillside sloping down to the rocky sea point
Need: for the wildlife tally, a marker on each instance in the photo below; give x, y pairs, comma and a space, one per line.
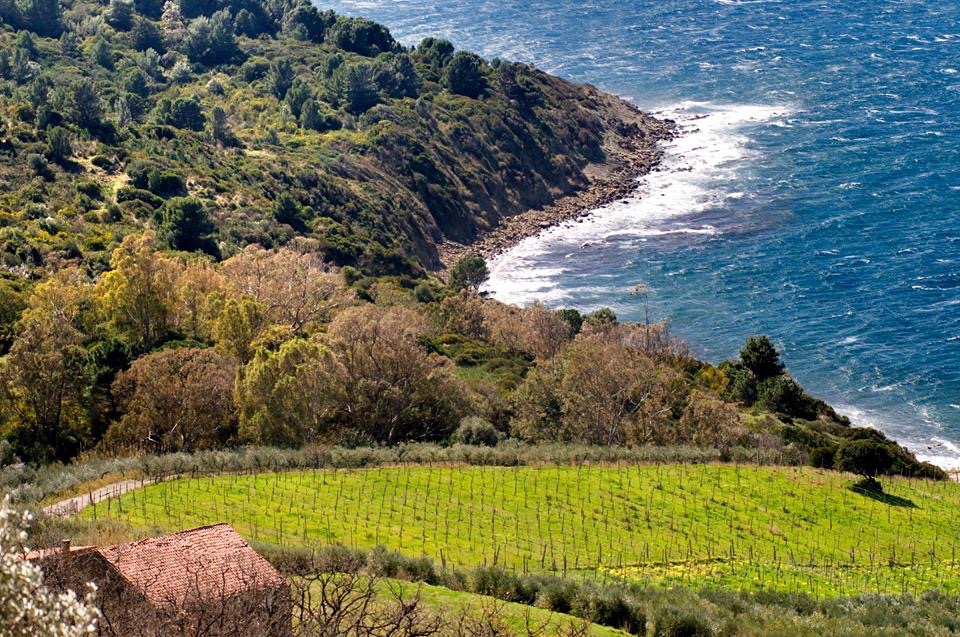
279, 121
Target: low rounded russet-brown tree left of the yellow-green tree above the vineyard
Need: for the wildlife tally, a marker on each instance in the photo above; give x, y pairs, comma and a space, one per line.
175, 400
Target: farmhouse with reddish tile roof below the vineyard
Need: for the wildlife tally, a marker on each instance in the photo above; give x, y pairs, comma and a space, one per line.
205, 582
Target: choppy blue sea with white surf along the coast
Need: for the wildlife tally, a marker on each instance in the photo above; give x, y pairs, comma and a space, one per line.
814, 195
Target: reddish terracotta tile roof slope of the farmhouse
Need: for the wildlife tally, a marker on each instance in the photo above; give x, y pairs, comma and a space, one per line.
190, 566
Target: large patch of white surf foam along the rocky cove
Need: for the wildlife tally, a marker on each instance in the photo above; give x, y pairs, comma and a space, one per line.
697, 173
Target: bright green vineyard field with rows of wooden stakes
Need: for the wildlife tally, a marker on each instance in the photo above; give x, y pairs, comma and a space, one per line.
746, 528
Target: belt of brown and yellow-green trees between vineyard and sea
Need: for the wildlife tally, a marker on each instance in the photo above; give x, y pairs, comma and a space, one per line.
165, 352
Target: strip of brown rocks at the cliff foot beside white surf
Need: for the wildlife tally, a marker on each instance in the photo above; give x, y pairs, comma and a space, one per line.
629, 162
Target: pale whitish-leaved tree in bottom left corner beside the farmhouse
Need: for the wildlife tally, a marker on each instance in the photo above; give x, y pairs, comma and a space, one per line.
27, 607
